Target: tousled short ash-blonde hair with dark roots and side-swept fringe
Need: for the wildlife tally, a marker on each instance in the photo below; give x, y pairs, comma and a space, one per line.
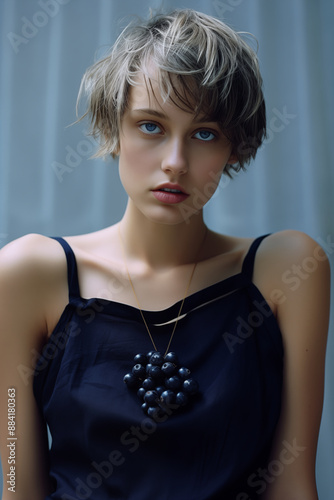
203, 67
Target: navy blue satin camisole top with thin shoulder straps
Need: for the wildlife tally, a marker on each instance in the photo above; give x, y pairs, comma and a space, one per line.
105, 448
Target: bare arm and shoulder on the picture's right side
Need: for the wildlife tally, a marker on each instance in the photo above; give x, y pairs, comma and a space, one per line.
301, 271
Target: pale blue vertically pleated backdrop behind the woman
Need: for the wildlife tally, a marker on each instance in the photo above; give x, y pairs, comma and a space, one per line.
48, 185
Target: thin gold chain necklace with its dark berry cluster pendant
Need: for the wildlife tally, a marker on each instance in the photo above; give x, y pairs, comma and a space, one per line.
162, 384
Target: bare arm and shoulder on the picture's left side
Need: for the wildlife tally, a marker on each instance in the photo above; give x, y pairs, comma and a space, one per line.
23, 330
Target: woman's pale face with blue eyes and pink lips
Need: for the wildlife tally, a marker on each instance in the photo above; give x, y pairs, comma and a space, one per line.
170, 162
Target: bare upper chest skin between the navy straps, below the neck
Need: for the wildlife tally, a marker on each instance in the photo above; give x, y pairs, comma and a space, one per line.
149, 289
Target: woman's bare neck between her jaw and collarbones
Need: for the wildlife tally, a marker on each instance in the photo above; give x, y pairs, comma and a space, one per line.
162, 245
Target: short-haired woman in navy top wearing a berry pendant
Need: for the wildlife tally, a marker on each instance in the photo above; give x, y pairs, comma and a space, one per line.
168, 361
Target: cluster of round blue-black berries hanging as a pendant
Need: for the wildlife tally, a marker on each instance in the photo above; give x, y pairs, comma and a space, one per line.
160, 382
